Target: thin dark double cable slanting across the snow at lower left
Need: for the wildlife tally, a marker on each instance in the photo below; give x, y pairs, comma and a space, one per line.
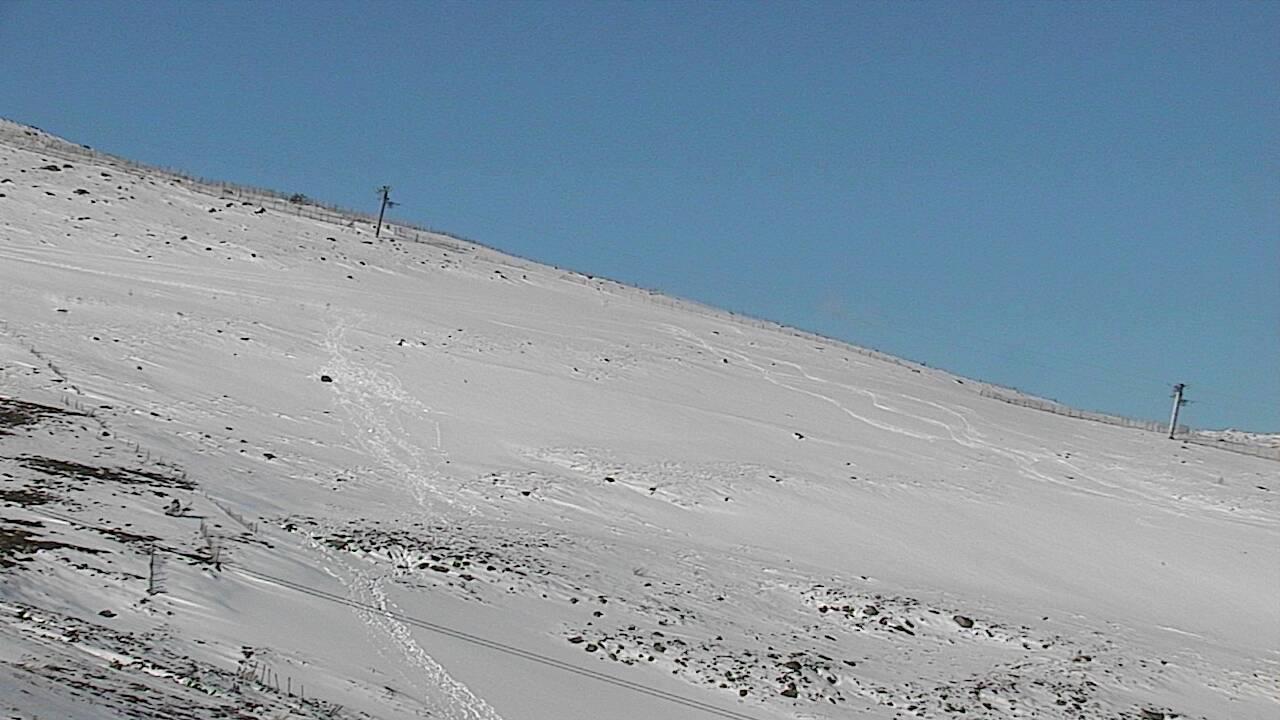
447, 631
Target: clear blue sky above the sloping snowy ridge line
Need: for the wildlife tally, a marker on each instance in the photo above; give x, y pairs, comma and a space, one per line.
1082, 200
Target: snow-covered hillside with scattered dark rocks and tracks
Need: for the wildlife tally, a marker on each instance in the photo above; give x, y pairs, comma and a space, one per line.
426, 480
